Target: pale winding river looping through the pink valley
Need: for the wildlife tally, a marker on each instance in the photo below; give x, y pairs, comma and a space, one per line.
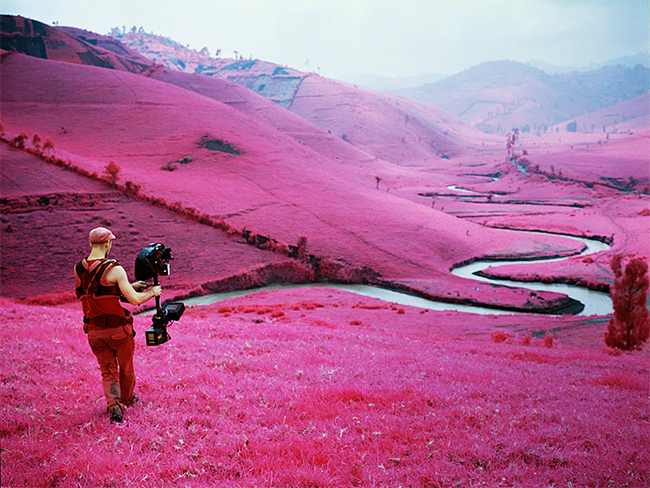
596, 303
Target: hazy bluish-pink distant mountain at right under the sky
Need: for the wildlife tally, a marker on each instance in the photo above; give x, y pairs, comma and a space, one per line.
499, 95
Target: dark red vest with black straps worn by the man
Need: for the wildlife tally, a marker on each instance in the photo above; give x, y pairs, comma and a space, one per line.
97, 299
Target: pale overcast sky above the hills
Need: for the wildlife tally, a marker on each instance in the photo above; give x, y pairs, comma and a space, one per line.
382, 37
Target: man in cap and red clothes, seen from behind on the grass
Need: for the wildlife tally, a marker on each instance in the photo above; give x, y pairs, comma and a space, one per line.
99, 284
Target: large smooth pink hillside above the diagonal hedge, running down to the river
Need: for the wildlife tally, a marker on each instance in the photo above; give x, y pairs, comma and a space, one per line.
95, 115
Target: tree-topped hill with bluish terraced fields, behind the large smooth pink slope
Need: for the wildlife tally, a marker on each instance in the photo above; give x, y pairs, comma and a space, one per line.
392, 128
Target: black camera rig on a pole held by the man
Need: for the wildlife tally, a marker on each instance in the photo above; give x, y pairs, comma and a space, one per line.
152, 261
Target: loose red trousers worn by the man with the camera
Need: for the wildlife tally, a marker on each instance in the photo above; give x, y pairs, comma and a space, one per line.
114, 351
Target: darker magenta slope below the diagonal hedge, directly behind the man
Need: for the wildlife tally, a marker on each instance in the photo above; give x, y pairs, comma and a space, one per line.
46, 233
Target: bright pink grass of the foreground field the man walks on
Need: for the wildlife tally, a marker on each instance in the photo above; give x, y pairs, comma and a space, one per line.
279, 396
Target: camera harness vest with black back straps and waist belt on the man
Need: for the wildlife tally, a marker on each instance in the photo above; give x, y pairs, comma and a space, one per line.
100, 303
